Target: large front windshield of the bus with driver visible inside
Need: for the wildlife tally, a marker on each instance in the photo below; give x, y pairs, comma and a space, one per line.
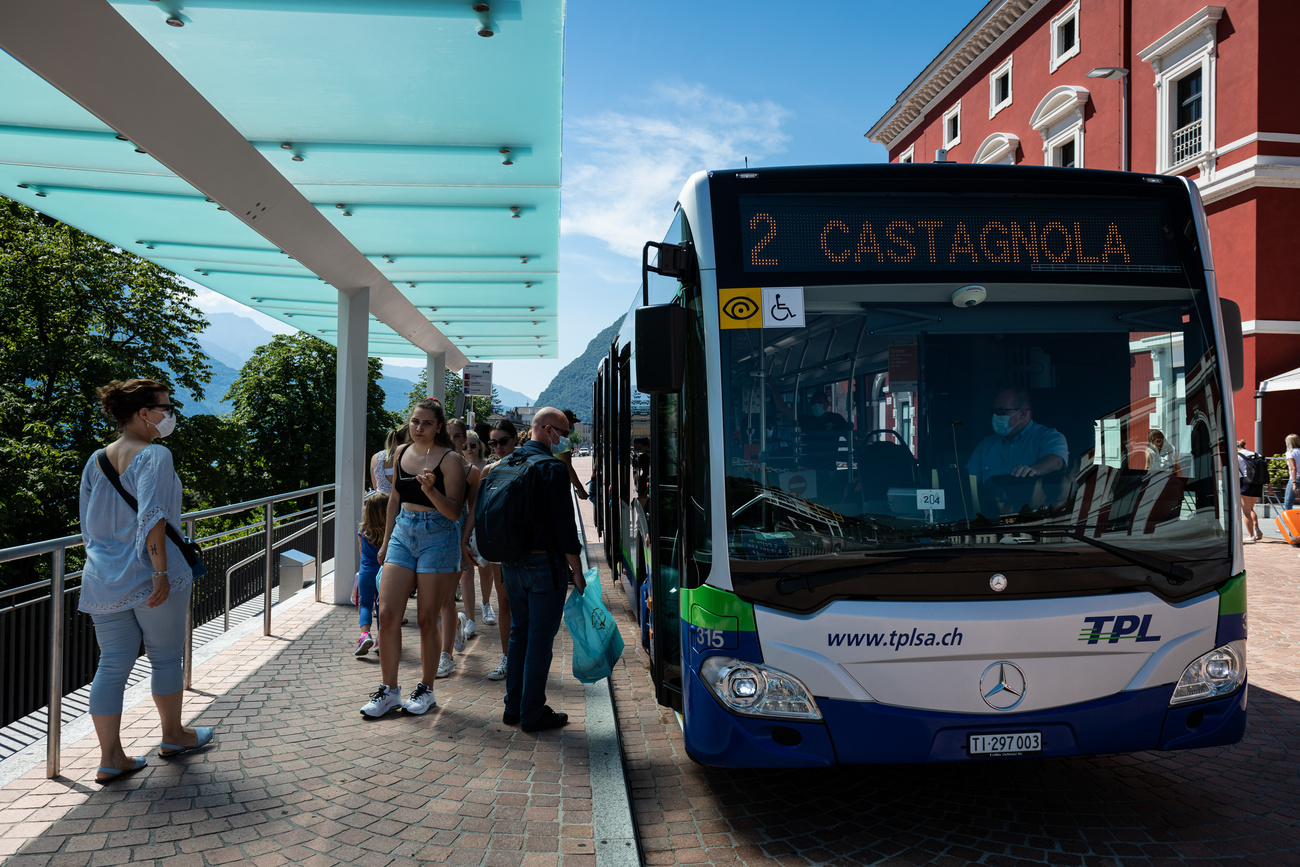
1078, 427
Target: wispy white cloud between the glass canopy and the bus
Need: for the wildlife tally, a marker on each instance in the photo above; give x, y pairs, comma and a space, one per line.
625, 171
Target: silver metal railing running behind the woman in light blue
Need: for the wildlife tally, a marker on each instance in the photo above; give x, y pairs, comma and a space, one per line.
59, 591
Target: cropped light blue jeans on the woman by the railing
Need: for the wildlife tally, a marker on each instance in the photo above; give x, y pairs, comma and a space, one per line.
119, 636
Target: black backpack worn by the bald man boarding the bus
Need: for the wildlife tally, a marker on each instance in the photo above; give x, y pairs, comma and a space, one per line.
506, 509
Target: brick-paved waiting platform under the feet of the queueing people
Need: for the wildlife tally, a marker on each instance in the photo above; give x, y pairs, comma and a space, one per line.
298, 777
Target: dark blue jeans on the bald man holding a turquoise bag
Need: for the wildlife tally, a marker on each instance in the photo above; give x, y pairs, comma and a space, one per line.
536, 608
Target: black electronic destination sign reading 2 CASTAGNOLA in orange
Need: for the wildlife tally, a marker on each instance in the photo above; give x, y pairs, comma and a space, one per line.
864, 233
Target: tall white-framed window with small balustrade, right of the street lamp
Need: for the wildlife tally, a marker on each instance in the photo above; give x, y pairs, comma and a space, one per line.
1184, 62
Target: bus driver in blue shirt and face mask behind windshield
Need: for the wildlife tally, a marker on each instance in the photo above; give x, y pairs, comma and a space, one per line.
1019, 446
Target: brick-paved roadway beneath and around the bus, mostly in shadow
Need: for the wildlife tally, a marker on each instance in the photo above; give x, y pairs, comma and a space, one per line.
1216, 807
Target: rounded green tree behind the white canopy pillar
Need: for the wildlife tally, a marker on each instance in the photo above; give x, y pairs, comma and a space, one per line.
285, 405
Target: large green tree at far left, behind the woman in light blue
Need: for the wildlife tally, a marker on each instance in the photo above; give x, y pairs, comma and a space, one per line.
77, 314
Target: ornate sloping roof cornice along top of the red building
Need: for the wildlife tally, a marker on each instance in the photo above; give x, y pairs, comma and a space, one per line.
996, 23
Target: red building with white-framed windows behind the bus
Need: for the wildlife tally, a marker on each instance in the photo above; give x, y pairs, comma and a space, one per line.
1172, 88
